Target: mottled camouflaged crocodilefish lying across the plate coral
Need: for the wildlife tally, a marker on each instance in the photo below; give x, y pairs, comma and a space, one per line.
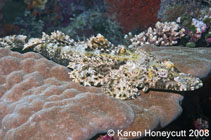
121, 71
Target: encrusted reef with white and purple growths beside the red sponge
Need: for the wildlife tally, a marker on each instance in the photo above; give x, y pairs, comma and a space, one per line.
192, 15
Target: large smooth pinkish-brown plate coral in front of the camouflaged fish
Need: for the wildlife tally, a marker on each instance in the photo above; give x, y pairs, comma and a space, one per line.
38, 101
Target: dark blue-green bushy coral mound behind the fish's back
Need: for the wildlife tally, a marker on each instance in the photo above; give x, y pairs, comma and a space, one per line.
92, 22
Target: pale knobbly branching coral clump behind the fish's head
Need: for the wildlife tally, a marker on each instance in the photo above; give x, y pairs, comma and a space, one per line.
164, 34
